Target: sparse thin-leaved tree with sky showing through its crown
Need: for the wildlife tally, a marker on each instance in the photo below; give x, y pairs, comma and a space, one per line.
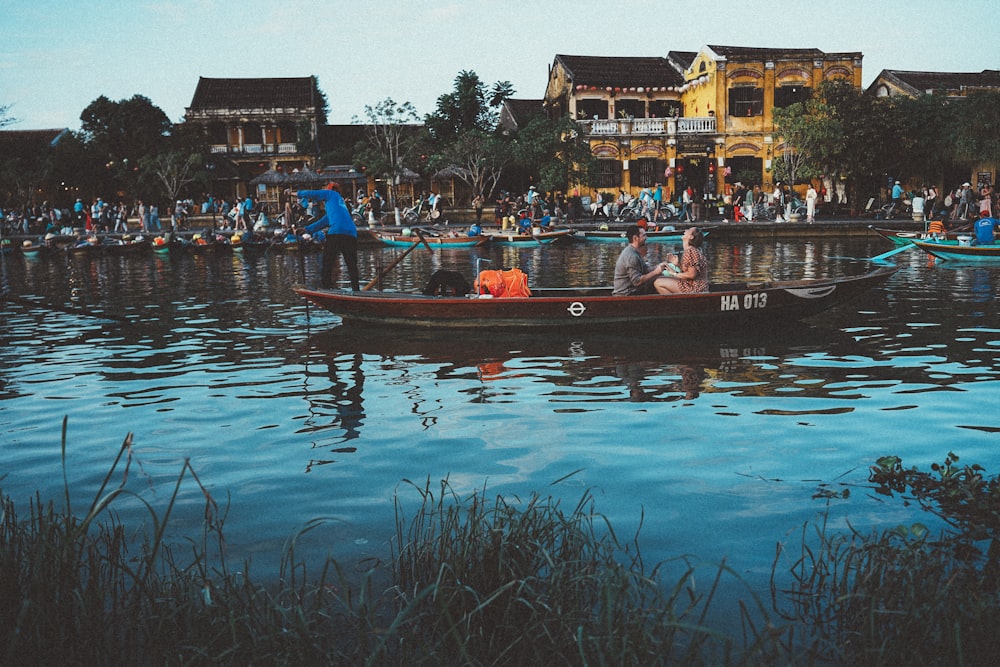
390, 134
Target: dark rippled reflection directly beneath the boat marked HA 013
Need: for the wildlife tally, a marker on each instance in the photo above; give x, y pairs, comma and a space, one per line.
592, 368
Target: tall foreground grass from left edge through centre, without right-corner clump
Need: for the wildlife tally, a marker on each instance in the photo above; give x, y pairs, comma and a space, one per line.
472, 582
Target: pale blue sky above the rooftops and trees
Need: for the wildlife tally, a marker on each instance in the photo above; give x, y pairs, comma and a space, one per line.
57, 56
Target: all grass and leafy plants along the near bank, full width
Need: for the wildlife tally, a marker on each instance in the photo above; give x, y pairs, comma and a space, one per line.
477, 580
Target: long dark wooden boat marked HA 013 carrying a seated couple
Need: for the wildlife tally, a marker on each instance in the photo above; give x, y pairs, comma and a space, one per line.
732, 305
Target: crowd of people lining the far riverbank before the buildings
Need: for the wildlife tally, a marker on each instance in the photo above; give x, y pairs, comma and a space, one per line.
958, 206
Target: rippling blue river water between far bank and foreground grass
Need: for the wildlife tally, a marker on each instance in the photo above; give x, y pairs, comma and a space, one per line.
715, 443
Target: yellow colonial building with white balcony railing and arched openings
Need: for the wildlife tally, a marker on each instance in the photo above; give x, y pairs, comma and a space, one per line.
701, 118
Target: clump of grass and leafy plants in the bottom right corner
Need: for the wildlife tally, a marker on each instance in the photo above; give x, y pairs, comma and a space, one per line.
902, 596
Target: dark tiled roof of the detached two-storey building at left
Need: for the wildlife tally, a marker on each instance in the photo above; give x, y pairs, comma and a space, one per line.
254, 93
